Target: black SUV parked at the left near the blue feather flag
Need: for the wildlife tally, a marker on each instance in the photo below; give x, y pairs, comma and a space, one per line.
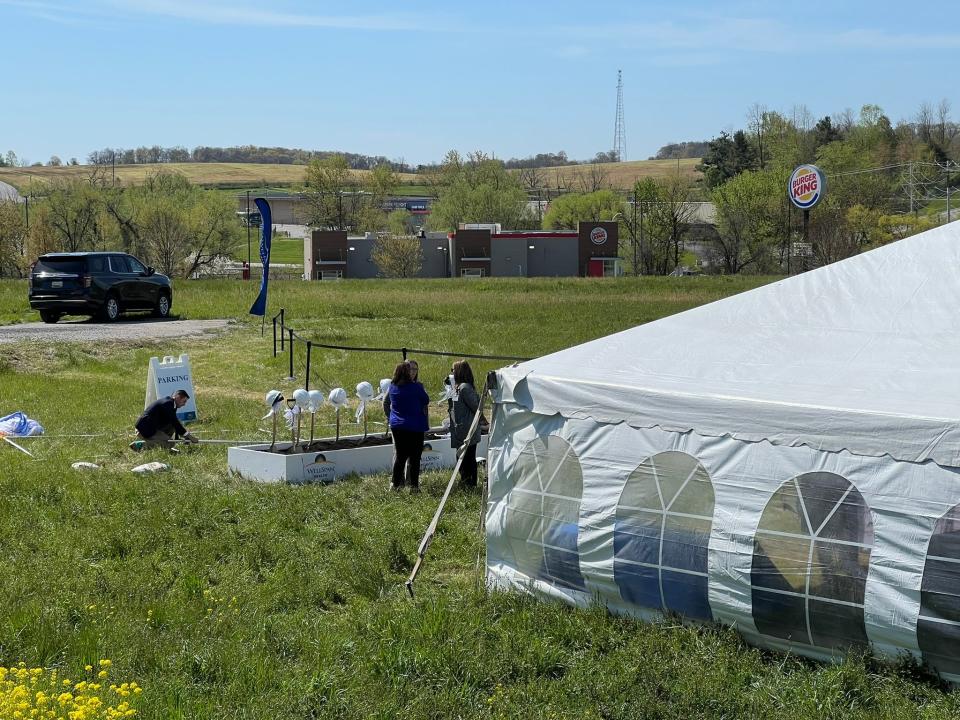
101, 283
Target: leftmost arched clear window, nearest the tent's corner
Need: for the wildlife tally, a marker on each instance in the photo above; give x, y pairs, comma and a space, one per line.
543, 512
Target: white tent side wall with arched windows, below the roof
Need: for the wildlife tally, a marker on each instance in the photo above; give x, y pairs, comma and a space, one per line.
801, 550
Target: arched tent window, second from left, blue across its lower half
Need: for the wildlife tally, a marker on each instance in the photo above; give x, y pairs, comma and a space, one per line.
662, 533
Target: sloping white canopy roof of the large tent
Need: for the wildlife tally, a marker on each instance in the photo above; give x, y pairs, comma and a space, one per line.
862, 355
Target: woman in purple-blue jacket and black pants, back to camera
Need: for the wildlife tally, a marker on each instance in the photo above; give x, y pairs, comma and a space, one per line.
406, 404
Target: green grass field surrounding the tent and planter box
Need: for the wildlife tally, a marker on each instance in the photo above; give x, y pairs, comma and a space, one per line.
226, 599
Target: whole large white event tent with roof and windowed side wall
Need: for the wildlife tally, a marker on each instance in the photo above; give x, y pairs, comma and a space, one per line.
786, 461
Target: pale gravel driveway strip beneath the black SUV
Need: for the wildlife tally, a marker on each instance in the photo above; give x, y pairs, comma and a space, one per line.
87, 331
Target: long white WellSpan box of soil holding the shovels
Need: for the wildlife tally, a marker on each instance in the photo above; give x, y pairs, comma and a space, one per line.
255, 462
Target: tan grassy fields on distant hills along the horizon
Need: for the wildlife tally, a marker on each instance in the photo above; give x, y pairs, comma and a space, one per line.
570, 177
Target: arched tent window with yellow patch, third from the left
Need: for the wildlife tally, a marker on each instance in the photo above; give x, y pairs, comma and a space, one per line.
811, 555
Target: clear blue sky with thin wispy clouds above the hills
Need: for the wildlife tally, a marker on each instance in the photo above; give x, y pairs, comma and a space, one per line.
413, 80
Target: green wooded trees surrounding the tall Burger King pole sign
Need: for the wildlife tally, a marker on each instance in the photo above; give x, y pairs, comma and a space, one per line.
880, 176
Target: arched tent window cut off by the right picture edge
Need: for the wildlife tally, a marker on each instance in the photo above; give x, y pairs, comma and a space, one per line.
938, 627
